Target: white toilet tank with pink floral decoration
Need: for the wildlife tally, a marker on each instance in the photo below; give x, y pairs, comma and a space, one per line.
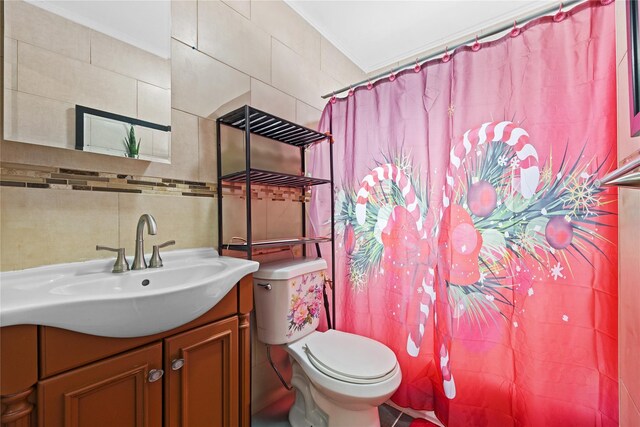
288, 298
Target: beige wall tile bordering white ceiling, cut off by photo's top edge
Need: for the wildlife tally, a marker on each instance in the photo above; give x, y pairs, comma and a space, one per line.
283, 23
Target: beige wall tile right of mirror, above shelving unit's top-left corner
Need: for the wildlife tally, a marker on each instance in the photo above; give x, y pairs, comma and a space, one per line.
194, 88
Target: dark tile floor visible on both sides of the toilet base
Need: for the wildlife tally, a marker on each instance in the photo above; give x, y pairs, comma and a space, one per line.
276, 415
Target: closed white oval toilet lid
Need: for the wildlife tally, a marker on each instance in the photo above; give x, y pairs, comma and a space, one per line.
351, 358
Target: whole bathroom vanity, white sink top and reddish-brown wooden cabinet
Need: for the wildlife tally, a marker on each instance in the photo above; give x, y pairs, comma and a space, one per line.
82, 346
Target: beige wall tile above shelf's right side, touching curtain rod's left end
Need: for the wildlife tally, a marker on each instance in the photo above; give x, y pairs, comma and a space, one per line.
293, 75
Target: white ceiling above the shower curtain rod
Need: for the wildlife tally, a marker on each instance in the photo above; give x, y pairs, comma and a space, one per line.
374, 34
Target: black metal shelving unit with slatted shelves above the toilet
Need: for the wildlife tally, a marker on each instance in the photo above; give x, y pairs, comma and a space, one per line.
255, 122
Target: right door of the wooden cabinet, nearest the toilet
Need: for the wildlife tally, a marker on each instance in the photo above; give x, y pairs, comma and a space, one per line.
202, 376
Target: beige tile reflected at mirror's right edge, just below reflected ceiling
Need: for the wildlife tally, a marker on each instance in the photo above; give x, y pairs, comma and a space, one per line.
123, 58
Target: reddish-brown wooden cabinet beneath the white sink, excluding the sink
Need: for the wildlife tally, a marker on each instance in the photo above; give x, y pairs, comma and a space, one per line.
76, 380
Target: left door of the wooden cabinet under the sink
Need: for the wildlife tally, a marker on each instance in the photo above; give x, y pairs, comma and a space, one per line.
114, 392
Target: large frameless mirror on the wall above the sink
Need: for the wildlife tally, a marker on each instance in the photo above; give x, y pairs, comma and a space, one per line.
111, 58
